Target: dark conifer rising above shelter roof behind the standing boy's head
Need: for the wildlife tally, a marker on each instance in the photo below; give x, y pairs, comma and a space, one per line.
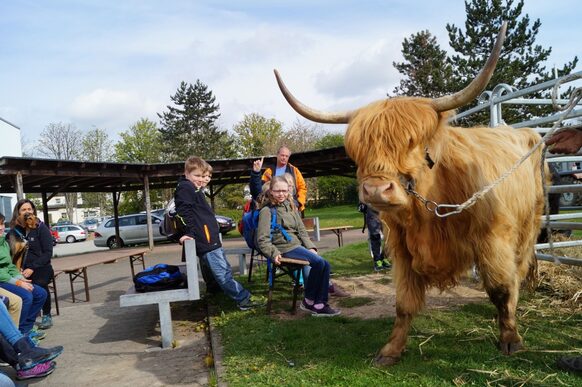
190, 128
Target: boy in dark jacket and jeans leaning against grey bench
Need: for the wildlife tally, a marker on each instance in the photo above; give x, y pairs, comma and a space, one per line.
200, 224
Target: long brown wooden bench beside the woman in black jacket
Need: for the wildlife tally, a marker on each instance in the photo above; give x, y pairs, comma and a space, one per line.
76, 267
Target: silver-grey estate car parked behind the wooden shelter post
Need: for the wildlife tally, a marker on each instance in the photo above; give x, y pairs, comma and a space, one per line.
132, 230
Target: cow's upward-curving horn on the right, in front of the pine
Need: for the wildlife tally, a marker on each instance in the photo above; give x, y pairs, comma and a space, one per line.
478, 84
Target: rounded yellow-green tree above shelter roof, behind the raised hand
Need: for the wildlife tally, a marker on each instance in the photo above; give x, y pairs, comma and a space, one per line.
257, 135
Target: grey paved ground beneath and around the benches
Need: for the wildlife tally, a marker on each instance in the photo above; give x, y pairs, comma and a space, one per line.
106, 345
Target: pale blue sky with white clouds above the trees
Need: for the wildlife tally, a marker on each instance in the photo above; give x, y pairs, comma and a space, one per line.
106, 64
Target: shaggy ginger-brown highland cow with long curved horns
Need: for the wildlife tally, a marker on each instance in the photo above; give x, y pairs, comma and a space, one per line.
404, 147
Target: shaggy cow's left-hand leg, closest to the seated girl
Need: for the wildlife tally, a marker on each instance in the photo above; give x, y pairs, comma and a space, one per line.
410, 292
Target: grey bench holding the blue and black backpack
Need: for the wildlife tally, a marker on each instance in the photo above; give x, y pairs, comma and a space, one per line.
164, 297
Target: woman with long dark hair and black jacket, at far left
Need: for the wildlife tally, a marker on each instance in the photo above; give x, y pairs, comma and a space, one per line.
36, 265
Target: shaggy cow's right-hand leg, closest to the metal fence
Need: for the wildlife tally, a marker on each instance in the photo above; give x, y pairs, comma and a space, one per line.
501, 282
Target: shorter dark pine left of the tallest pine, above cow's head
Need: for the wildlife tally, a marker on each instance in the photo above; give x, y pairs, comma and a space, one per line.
426, 71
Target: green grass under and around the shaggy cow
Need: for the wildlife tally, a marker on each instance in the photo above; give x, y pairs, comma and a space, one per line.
445, 348
